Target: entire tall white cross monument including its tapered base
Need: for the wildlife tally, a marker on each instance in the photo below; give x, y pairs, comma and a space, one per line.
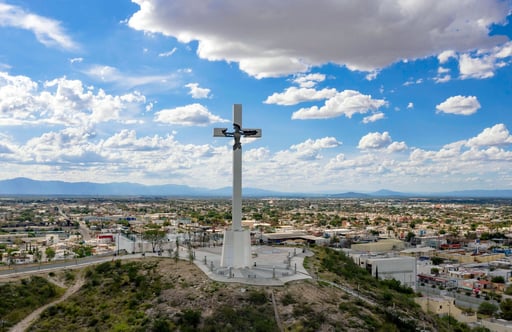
236, 248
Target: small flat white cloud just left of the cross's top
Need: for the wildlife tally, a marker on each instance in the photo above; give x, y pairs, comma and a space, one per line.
189, 115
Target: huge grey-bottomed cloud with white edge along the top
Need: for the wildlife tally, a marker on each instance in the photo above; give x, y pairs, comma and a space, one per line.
285, 37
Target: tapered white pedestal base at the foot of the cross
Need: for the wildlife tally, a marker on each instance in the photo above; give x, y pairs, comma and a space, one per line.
236, 249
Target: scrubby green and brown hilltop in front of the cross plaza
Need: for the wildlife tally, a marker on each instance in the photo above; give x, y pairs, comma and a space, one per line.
159, 294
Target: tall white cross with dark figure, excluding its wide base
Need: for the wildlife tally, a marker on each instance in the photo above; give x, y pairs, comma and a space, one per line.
238, 132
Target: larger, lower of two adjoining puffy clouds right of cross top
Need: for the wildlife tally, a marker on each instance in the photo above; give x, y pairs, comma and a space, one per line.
347, 103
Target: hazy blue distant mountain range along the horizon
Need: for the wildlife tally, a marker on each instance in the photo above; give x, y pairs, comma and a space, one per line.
25, 186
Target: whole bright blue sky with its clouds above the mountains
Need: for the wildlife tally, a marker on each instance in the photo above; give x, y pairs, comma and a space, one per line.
411, 96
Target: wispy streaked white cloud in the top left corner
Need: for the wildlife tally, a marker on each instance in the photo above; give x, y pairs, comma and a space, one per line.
47, 31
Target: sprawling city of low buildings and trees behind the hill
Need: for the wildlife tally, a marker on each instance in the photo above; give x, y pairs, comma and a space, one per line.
431, 245
